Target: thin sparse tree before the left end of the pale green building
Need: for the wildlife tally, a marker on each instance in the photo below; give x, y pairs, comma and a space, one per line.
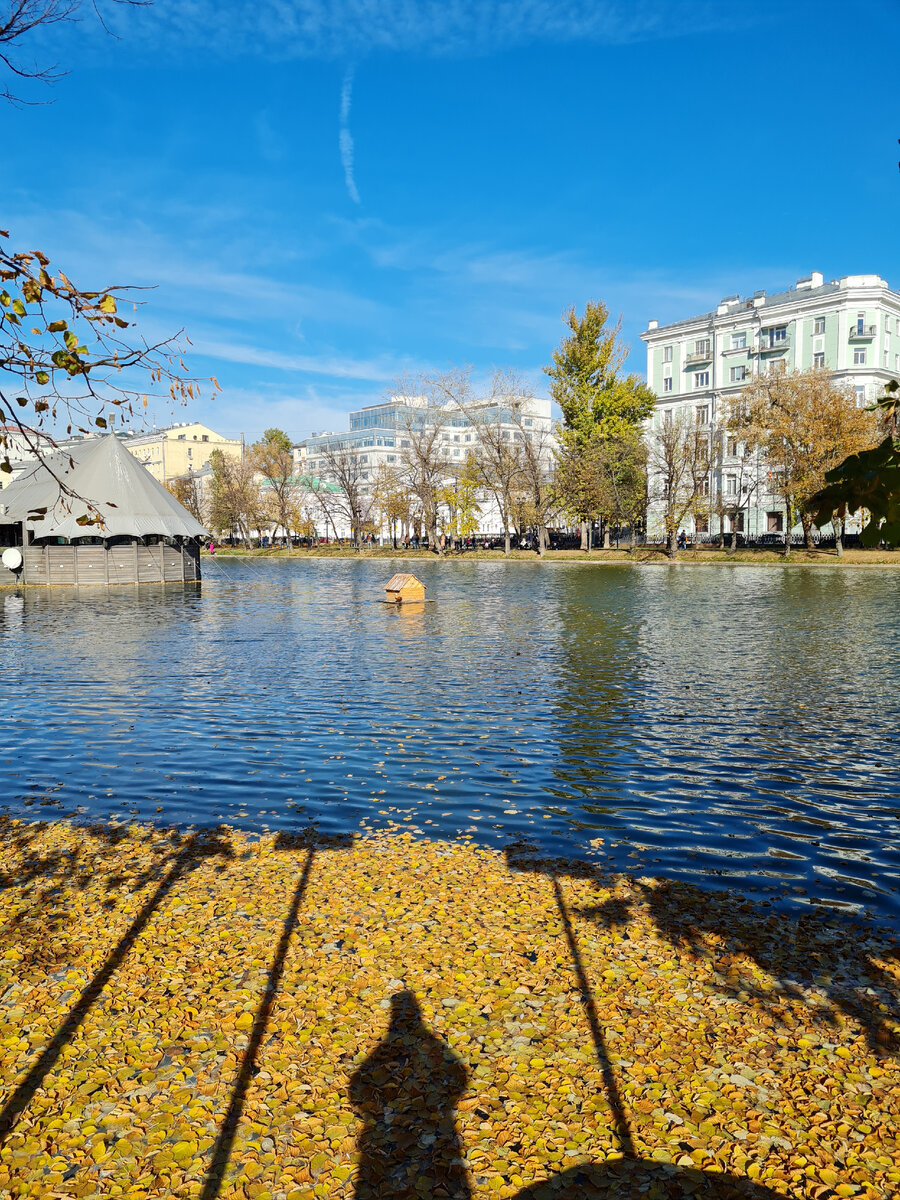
679, 472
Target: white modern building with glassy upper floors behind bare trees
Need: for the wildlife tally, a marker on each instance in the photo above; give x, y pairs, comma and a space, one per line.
380, 435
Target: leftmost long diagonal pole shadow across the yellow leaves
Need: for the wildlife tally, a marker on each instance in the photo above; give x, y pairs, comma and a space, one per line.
191, 850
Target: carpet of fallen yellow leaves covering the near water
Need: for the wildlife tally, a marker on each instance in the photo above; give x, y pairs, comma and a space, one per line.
207, 1016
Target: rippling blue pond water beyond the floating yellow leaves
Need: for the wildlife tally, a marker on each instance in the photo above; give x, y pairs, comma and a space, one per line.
736, 727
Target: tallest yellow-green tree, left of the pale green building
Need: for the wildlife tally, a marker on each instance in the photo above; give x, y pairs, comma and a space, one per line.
597, 399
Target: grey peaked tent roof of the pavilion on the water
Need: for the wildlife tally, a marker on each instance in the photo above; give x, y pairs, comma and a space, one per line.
100, 472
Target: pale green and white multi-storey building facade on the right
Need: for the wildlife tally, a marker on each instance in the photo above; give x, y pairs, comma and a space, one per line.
850, 327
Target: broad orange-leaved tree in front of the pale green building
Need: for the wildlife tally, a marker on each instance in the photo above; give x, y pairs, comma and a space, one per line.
803, 424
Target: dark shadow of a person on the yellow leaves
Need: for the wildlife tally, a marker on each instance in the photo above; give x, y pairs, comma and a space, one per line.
406, 1095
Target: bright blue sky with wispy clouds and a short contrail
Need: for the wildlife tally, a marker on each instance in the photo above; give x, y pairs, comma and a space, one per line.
326, 195
